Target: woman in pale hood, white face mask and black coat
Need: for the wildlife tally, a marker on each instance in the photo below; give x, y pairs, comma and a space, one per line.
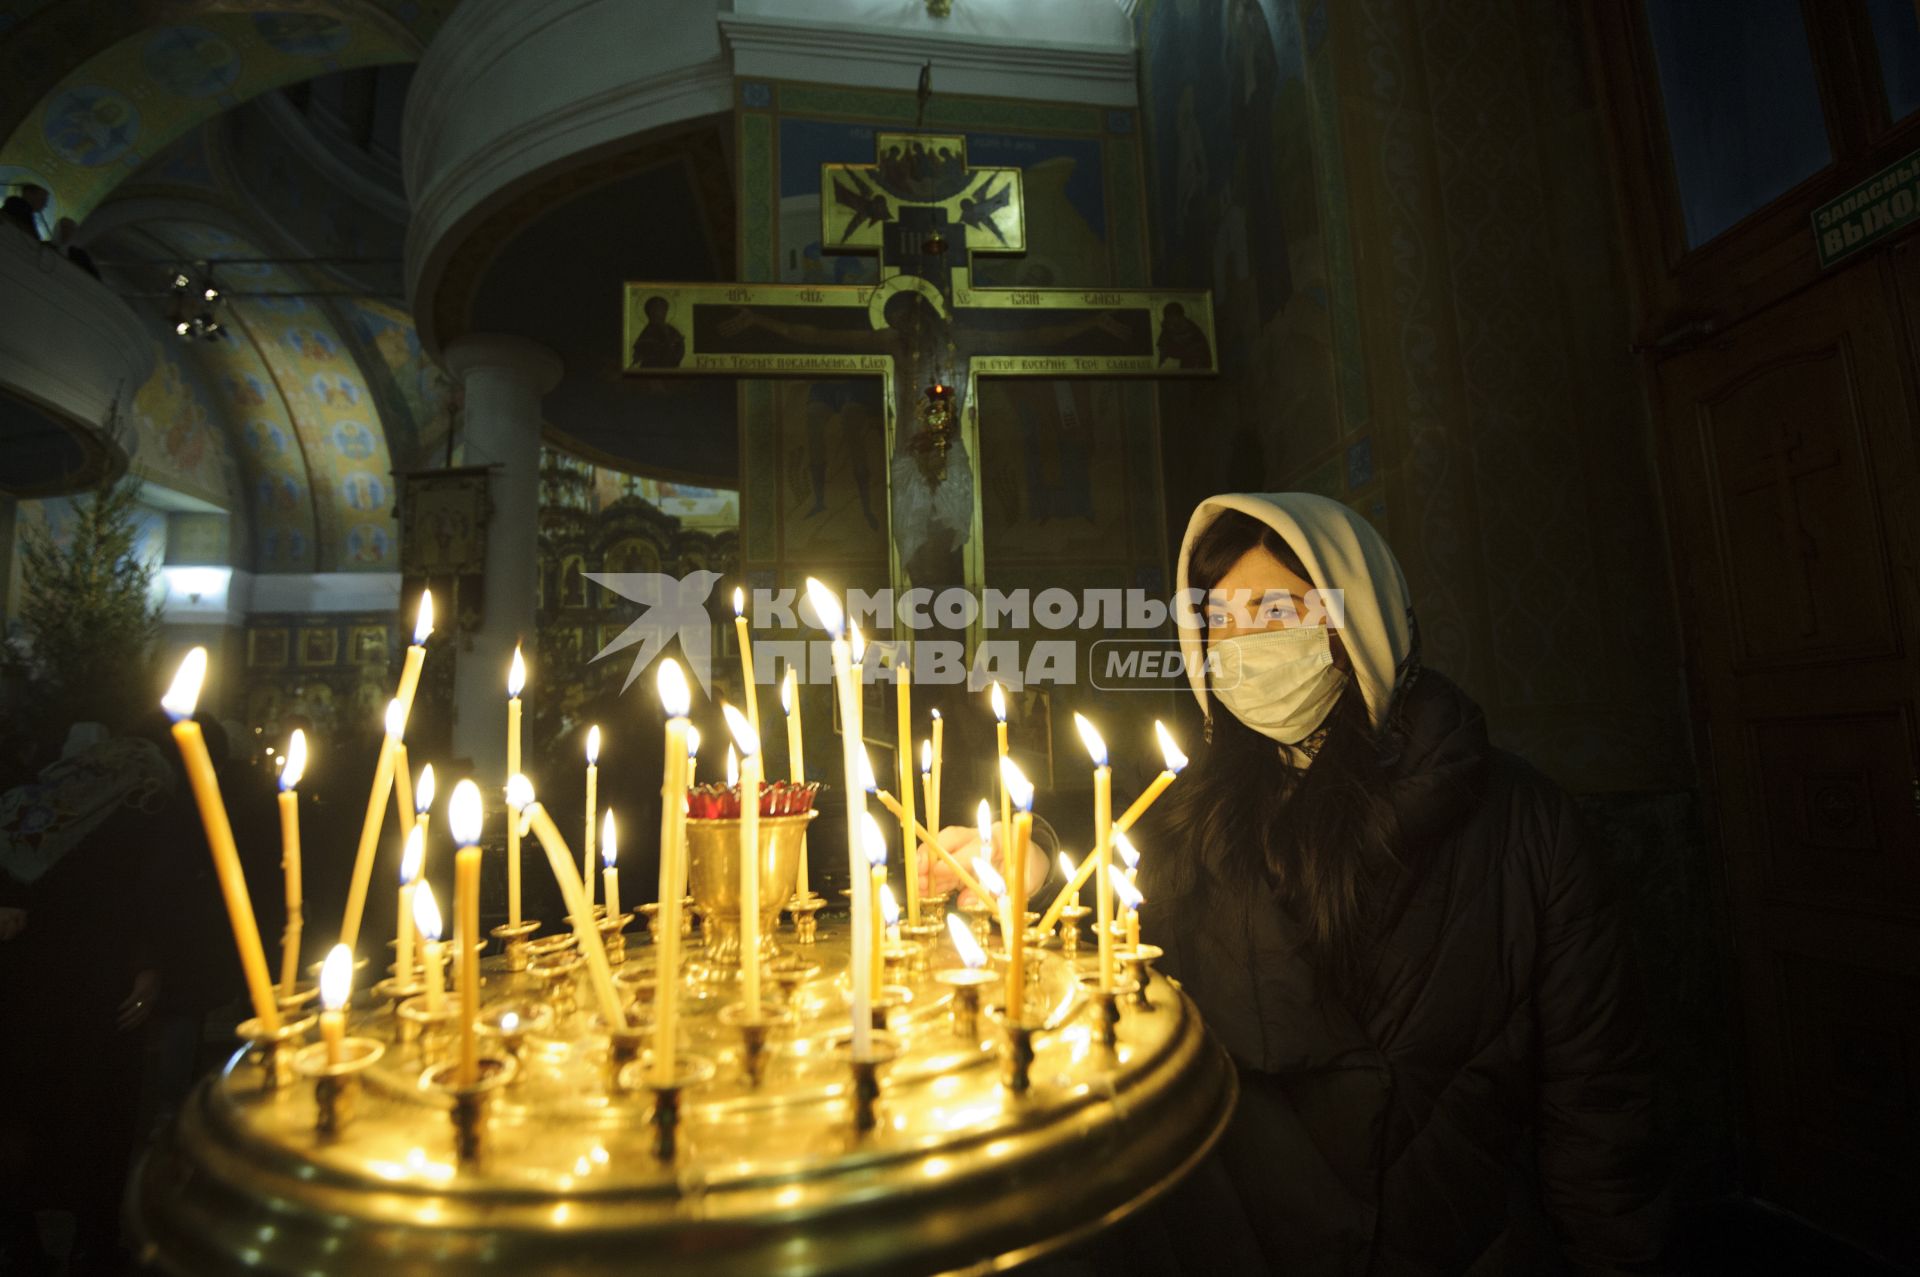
1397, 932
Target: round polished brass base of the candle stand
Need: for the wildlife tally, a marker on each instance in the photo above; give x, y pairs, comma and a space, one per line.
556, 1167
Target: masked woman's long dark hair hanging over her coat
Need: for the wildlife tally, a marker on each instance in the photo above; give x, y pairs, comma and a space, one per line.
1322, 840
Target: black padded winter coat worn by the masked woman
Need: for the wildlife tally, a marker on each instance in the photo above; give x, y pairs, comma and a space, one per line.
1487, 1109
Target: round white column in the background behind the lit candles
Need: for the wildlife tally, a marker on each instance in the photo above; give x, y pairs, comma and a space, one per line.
502, 379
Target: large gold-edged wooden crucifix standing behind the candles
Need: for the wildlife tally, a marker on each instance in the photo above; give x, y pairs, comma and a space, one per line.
924, 329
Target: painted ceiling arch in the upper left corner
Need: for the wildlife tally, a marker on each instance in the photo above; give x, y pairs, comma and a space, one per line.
85, 112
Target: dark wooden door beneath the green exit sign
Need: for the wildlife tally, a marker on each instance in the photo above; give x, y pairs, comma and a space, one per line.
1792, 477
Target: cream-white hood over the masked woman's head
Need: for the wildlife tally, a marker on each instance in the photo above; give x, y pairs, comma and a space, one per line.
1341, 552
